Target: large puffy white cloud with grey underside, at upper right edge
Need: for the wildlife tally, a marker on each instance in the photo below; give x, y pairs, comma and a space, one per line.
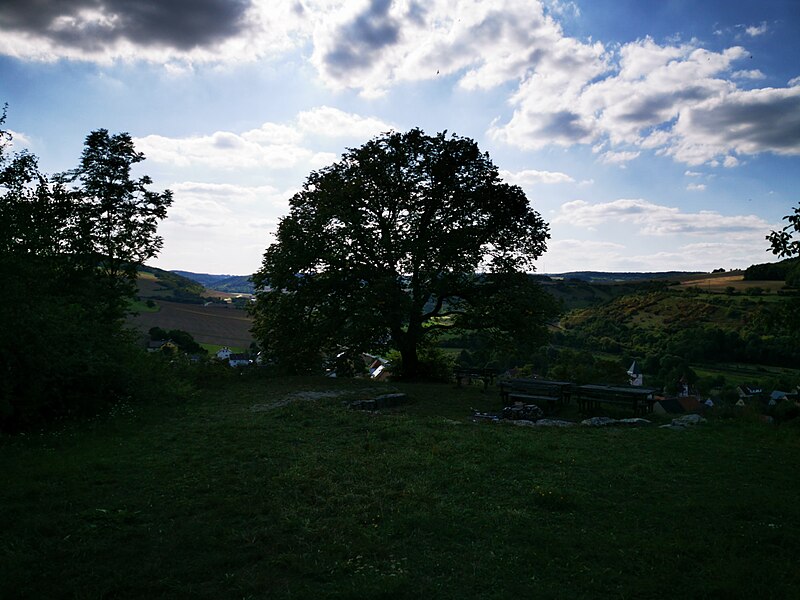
678, 100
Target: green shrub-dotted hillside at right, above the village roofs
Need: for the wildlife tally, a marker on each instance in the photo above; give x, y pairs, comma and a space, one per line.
753, 326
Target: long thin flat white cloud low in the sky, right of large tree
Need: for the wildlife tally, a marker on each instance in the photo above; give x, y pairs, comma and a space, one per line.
658, 220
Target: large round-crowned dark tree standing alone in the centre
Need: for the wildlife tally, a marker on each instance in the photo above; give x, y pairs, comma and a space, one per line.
405, 237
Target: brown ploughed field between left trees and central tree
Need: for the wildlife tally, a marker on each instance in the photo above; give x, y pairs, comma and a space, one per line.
219, 325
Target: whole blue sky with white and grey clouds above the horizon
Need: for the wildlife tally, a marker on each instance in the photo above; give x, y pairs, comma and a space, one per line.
651, 136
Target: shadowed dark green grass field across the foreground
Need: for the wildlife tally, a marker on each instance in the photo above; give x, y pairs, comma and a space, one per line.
251, 491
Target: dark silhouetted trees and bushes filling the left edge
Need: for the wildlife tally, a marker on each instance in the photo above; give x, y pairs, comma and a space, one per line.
68, 258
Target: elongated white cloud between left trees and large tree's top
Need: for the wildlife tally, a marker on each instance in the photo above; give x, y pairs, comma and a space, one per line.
273, 145
